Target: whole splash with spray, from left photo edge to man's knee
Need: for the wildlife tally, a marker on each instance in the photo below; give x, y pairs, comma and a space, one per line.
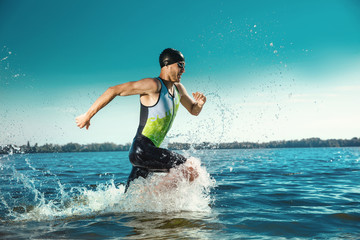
162, 192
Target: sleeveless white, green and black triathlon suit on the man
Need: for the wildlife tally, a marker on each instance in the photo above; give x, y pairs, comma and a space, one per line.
145, 154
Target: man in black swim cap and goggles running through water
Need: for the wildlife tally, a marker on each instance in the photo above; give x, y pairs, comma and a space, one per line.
160, 98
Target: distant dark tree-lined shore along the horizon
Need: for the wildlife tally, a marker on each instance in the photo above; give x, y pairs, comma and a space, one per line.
110, 147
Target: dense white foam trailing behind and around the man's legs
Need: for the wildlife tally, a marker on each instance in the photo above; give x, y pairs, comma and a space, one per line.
172, 192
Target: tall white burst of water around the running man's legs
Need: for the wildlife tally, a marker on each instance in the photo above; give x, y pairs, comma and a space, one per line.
172, 192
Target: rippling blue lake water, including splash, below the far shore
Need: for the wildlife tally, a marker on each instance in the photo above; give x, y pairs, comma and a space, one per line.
239, 194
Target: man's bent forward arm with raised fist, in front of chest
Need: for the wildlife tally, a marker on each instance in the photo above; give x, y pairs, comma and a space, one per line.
194, 106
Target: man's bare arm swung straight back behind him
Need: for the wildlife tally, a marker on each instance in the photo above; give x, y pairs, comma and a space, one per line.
141, 87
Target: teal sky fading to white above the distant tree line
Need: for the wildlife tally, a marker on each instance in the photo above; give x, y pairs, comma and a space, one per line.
271, 70
